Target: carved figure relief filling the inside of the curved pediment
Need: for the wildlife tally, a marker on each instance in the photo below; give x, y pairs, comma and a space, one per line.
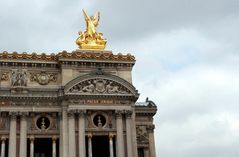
99, 86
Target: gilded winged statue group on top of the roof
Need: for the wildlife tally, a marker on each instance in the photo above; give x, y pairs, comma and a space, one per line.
90, 39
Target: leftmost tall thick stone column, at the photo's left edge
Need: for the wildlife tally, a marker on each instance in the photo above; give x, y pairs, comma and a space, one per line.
12, 135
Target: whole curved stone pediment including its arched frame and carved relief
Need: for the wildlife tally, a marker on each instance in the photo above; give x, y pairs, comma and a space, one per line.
100, 85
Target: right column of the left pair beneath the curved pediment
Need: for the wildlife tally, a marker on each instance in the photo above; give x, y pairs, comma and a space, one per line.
81, 133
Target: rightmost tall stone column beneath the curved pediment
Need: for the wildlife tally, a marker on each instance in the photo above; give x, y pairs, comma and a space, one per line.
128, 133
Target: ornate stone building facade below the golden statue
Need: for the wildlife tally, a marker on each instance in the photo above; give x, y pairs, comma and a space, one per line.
73, 104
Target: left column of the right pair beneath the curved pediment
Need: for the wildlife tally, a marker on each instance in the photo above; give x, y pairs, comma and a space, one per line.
120, 136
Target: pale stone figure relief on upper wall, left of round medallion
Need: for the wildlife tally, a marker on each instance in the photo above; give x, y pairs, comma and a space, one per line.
19, 77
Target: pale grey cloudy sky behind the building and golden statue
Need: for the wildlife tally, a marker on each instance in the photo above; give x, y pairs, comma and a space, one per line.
187, 60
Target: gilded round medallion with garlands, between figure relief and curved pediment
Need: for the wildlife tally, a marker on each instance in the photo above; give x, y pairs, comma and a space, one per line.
43, 78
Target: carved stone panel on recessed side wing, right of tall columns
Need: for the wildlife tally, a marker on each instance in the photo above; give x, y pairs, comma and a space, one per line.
142, 135
